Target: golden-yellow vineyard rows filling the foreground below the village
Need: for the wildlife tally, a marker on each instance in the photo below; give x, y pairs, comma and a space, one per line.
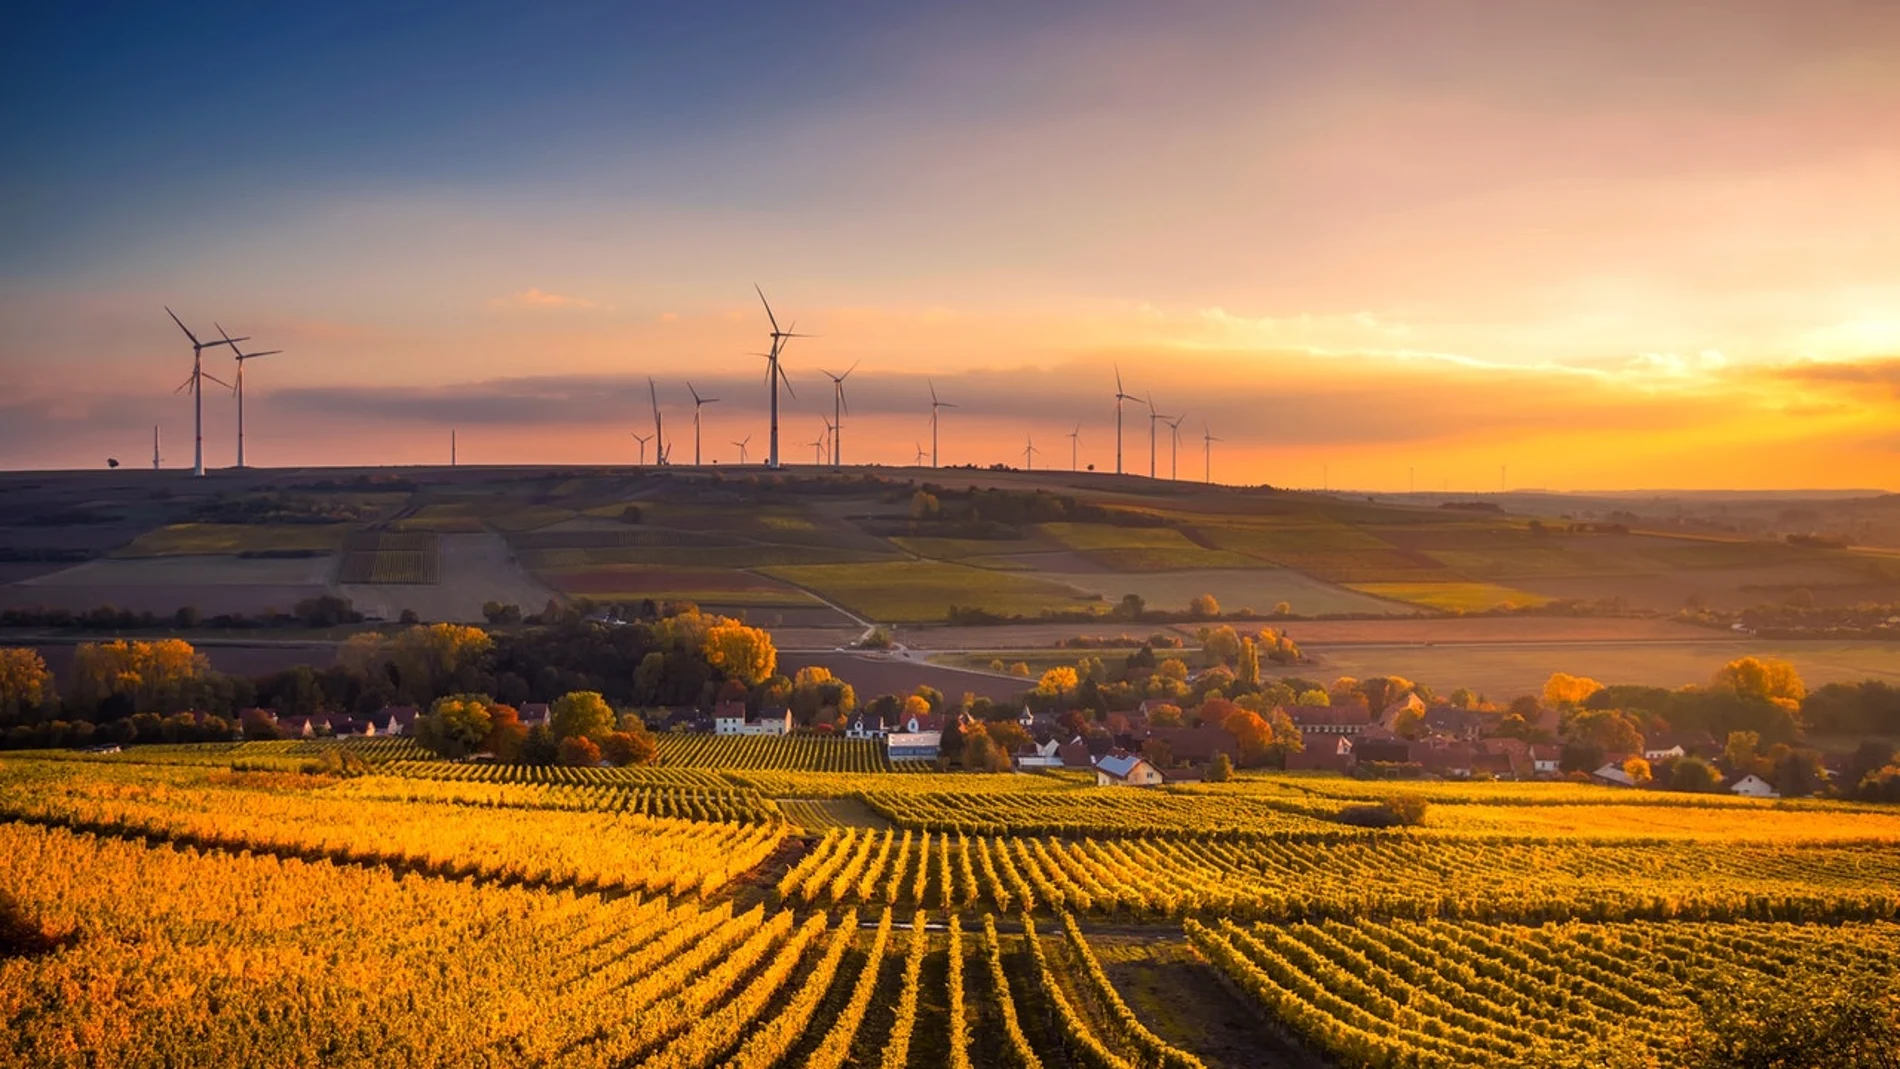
746, 907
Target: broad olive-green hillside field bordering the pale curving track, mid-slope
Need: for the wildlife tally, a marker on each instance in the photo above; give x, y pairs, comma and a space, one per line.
924, 591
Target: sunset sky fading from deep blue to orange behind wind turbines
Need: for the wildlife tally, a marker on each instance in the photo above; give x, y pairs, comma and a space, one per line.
1437, 244
